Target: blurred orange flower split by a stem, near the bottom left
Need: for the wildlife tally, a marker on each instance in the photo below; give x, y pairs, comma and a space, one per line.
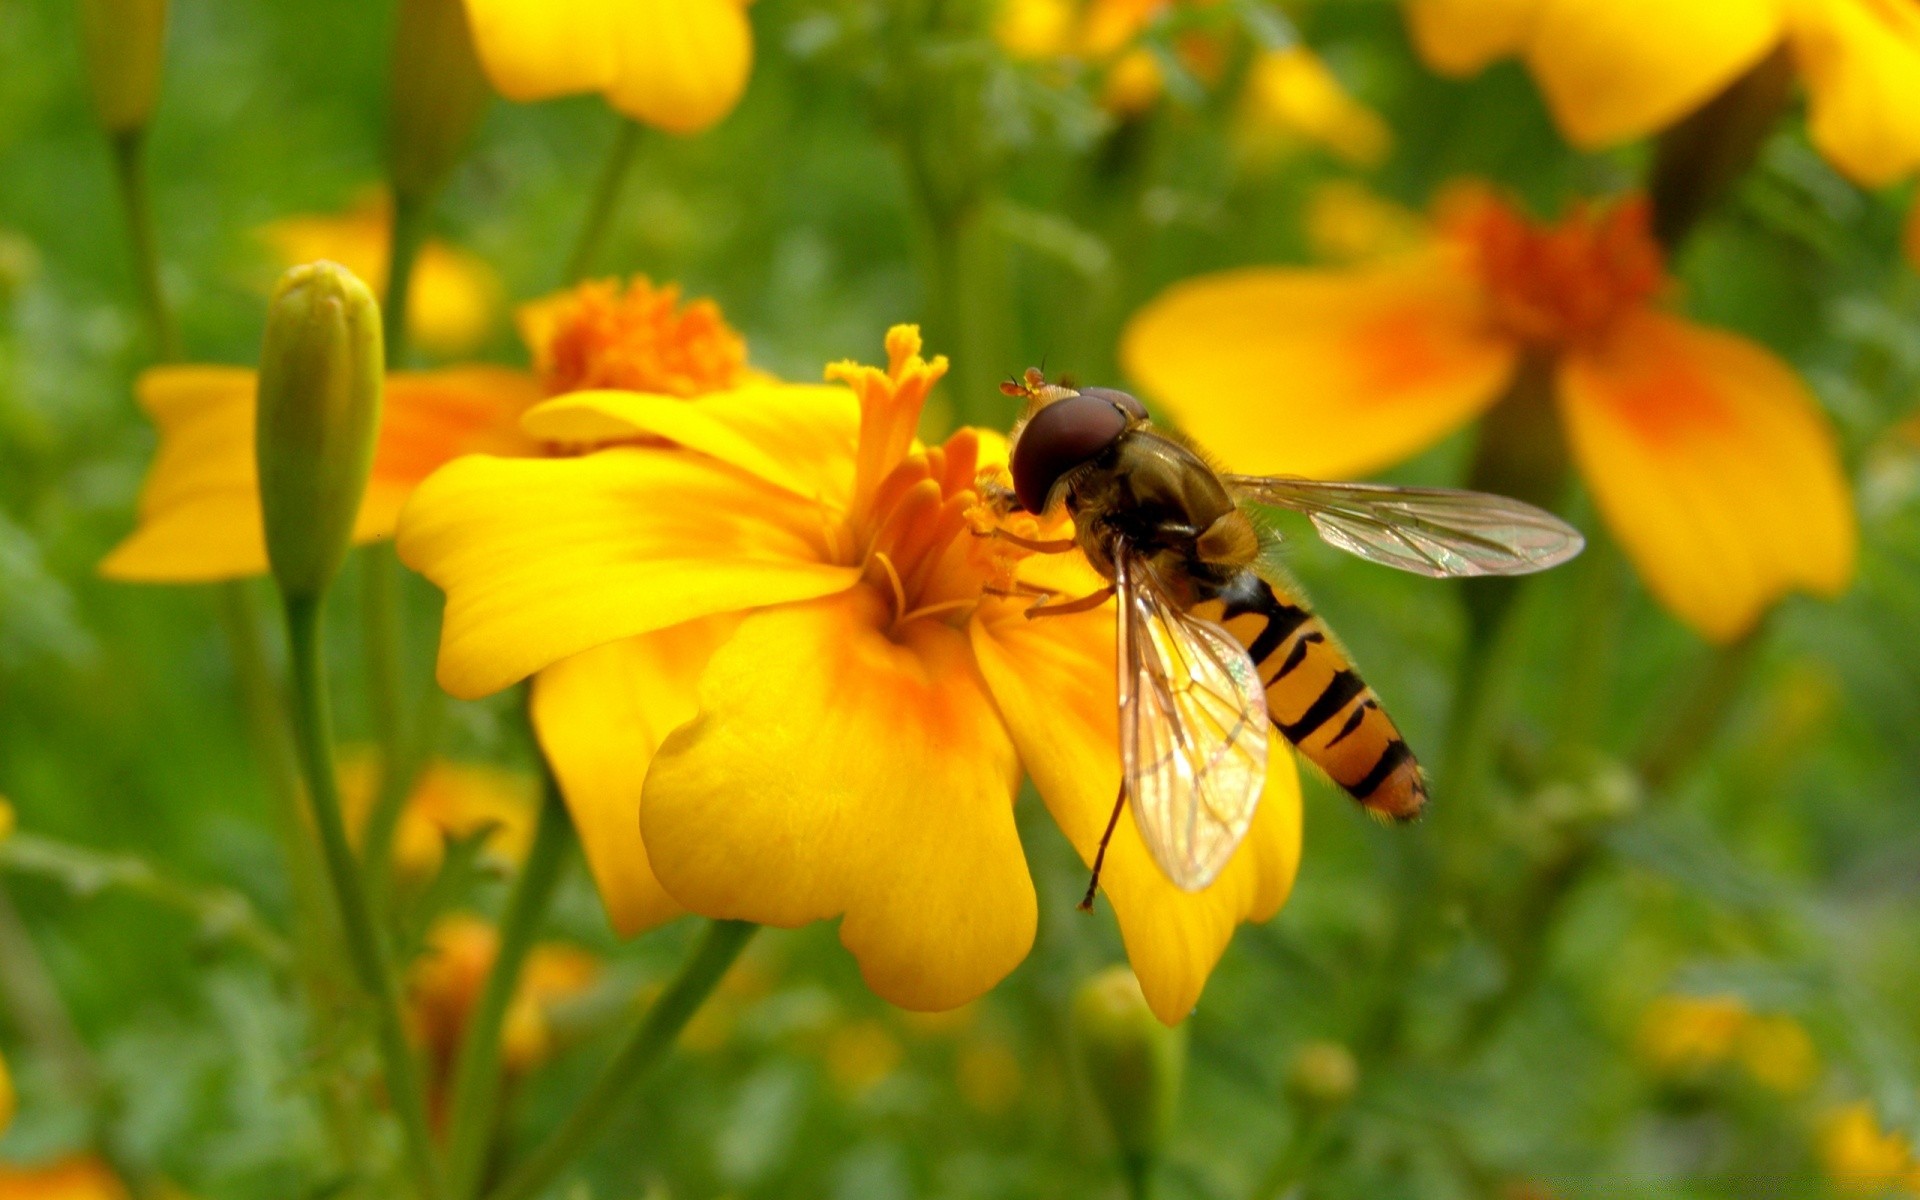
450, 974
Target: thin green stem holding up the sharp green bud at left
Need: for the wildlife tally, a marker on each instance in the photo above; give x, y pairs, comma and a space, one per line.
366, 948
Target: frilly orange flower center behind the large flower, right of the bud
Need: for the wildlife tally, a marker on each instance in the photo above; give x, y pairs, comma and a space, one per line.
636, 339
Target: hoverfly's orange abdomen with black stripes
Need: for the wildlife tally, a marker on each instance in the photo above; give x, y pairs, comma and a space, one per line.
1316, 698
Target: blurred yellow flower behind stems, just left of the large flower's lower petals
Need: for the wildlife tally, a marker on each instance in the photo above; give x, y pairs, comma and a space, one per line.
448, 802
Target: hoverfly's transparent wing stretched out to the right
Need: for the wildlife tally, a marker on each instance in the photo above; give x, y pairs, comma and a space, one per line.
1428, 531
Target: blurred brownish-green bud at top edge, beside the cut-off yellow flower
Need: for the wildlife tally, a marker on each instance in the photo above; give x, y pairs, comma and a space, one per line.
439, 95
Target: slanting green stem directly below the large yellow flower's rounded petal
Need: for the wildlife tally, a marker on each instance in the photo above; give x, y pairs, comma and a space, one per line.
644, 1049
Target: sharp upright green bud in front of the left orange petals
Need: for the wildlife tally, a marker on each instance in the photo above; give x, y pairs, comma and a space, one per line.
320, 410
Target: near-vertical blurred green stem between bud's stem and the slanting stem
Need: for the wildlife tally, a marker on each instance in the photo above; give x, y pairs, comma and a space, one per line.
477, 1078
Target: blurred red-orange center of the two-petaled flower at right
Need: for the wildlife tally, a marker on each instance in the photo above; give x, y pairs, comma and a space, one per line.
1558, 285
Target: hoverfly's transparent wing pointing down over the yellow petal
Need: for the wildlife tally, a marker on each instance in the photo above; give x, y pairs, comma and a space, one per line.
1193, 729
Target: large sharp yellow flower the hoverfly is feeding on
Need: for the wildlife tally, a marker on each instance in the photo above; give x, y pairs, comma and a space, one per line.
763, 627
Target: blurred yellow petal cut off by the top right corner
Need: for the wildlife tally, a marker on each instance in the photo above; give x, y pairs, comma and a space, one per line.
1861, 60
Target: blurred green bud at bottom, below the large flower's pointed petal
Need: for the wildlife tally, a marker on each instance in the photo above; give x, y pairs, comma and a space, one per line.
1134, 1065
